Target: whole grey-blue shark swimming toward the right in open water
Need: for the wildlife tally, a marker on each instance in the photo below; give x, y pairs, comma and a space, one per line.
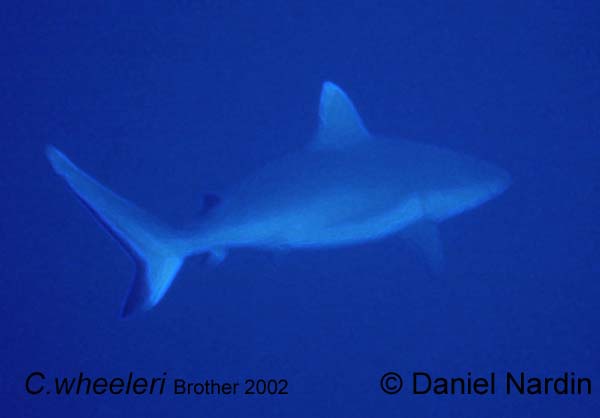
345, 186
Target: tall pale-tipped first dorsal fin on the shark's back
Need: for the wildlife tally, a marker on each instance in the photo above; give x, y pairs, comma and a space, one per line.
340, 124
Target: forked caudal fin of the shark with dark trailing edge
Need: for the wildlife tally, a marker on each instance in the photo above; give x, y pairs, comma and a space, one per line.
153, 246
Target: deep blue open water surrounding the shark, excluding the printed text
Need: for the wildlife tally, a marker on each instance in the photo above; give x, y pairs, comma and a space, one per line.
163, 101
